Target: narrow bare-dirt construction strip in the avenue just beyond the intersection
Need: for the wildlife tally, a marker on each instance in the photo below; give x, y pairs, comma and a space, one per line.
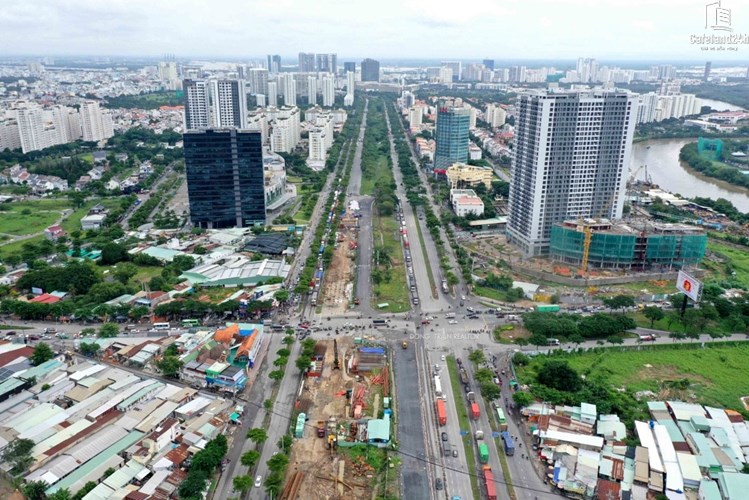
339, 278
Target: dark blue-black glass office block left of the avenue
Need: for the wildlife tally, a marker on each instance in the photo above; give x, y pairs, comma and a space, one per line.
225, 181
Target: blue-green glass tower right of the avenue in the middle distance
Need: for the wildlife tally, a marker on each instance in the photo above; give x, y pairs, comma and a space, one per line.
451, 136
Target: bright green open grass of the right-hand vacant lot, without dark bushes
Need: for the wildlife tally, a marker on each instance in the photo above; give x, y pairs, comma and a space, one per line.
717, 375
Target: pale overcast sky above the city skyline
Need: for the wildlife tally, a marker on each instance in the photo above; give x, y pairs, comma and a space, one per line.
439, 29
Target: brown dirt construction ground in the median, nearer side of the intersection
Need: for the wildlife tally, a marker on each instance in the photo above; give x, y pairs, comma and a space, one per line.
321, 399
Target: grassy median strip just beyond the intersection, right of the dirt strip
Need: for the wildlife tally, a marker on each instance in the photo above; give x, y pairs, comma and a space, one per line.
395, 290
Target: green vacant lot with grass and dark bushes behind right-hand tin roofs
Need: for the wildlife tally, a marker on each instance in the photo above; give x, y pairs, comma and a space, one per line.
713, 374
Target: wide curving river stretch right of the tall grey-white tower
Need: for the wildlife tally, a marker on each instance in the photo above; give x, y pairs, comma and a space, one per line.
662, 159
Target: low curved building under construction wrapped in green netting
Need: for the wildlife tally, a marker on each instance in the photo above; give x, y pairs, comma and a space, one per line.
640, 244
